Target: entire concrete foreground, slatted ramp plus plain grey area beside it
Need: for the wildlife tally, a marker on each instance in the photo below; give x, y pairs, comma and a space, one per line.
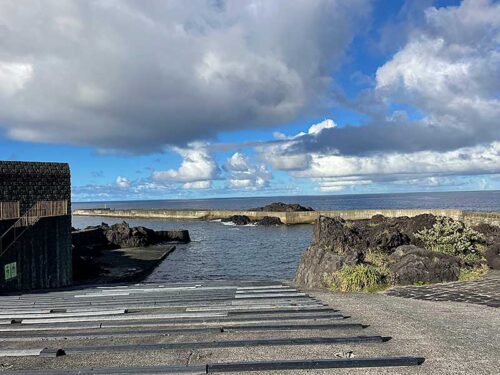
180, 324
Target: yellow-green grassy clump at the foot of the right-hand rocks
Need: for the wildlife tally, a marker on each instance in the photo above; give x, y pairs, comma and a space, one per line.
357, 278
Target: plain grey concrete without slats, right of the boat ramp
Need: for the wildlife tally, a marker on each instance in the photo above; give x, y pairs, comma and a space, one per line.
455, 338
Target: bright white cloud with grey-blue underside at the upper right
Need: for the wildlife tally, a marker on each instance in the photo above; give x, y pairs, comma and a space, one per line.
446, 72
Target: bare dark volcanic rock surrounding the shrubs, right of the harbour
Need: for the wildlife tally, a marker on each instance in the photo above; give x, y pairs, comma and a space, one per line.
337, 242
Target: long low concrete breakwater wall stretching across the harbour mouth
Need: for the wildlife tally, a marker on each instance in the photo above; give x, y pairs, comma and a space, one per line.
290, 218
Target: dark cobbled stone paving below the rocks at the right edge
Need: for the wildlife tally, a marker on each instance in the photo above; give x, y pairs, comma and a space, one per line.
485, 291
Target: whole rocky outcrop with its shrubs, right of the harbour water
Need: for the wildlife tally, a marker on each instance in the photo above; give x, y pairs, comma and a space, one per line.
353, 255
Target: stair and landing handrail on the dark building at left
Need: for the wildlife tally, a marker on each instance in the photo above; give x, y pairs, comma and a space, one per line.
31, 217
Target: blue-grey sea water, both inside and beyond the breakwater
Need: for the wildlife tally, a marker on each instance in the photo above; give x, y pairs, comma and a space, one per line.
220, 251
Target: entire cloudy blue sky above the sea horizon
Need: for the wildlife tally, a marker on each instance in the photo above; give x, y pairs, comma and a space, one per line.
212, 98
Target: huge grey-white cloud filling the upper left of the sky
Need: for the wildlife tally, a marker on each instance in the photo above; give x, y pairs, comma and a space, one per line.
136, 76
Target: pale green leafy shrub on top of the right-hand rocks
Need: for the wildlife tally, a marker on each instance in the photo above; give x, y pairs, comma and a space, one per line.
451, 237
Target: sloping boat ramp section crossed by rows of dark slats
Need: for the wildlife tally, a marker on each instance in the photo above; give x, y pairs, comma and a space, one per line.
198, 328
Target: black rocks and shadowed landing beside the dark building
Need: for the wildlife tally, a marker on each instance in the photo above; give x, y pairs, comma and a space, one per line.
117, 253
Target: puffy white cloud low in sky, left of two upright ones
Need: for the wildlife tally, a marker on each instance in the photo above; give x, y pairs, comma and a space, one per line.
196, 171
